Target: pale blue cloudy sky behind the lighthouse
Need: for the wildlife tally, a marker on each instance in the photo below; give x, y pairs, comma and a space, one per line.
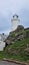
8, 8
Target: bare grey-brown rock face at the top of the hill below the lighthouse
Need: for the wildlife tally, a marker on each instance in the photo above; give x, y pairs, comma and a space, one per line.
19, 34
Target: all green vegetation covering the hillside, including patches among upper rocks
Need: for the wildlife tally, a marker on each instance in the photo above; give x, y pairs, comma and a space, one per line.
17, 50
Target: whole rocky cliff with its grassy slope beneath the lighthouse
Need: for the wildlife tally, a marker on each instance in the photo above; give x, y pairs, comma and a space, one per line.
17, 47
